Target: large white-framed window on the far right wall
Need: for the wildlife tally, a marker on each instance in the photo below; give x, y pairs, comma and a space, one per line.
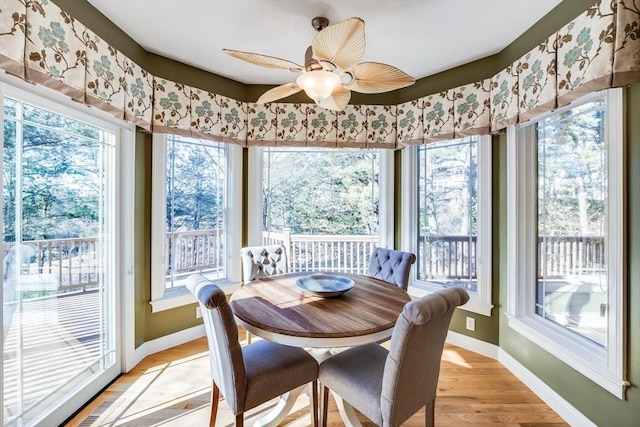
566, 236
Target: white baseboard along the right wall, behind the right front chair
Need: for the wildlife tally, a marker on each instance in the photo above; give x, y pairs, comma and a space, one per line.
563, 408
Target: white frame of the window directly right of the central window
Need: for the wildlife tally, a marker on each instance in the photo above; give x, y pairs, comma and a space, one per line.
480, 301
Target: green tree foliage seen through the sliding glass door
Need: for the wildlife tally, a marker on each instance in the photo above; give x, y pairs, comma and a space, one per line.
59, 173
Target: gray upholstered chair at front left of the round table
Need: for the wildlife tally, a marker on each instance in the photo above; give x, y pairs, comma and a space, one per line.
251, 375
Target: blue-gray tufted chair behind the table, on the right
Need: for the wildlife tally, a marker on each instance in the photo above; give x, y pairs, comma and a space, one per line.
391, 266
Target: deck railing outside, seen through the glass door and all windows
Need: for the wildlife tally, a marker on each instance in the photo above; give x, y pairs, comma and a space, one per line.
74, 263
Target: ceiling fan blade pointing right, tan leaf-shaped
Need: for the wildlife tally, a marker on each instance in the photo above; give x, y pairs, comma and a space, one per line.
374, 77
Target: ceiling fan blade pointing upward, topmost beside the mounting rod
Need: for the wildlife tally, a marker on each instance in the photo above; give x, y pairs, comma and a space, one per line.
342, 43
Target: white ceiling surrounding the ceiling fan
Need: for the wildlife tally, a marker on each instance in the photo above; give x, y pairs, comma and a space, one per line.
421, 37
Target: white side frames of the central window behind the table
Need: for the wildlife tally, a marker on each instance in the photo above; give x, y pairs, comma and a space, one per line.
254, 226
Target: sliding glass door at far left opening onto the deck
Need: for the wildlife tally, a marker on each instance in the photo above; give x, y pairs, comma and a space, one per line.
59, 264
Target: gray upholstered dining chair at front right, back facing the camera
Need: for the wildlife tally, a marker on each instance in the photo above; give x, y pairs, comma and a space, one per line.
390, 386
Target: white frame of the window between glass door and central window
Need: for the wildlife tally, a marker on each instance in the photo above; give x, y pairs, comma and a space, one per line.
166, 299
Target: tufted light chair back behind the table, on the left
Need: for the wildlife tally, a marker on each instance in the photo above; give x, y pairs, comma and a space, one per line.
261, 261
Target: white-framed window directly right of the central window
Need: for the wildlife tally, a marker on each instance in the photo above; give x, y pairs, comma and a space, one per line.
450, 221
